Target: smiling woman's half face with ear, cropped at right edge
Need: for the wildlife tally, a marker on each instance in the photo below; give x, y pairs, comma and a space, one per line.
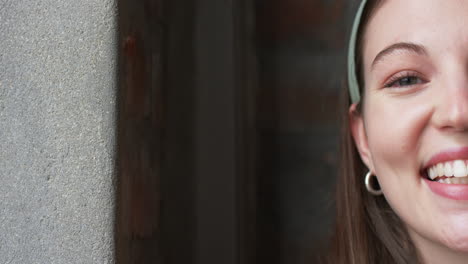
414, 122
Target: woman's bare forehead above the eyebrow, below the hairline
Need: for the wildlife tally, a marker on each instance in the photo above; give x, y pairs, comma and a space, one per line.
435, 24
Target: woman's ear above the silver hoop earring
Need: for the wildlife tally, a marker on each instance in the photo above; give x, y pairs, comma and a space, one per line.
358, 131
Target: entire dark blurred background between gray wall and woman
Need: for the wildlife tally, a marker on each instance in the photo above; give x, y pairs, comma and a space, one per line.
228, 129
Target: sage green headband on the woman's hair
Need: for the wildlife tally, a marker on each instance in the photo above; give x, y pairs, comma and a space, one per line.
352, 78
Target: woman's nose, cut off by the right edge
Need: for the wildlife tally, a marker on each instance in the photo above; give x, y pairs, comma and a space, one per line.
451, 112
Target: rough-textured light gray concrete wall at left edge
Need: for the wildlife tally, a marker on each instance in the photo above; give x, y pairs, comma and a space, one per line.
57, 119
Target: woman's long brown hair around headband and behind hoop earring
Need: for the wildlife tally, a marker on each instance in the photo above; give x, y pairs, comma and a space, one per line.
367, 230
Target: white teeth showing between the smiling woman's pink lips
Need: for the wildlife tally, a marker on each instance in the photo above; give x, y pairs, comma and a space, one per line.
450, 172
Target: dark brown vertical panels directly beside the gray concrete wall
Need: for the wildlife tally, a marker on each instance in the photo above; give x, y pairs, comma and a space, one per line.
186, 142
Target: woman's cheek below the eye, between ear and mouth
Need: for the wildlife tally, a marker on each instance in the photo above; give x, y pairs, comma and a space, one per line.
396, 135
